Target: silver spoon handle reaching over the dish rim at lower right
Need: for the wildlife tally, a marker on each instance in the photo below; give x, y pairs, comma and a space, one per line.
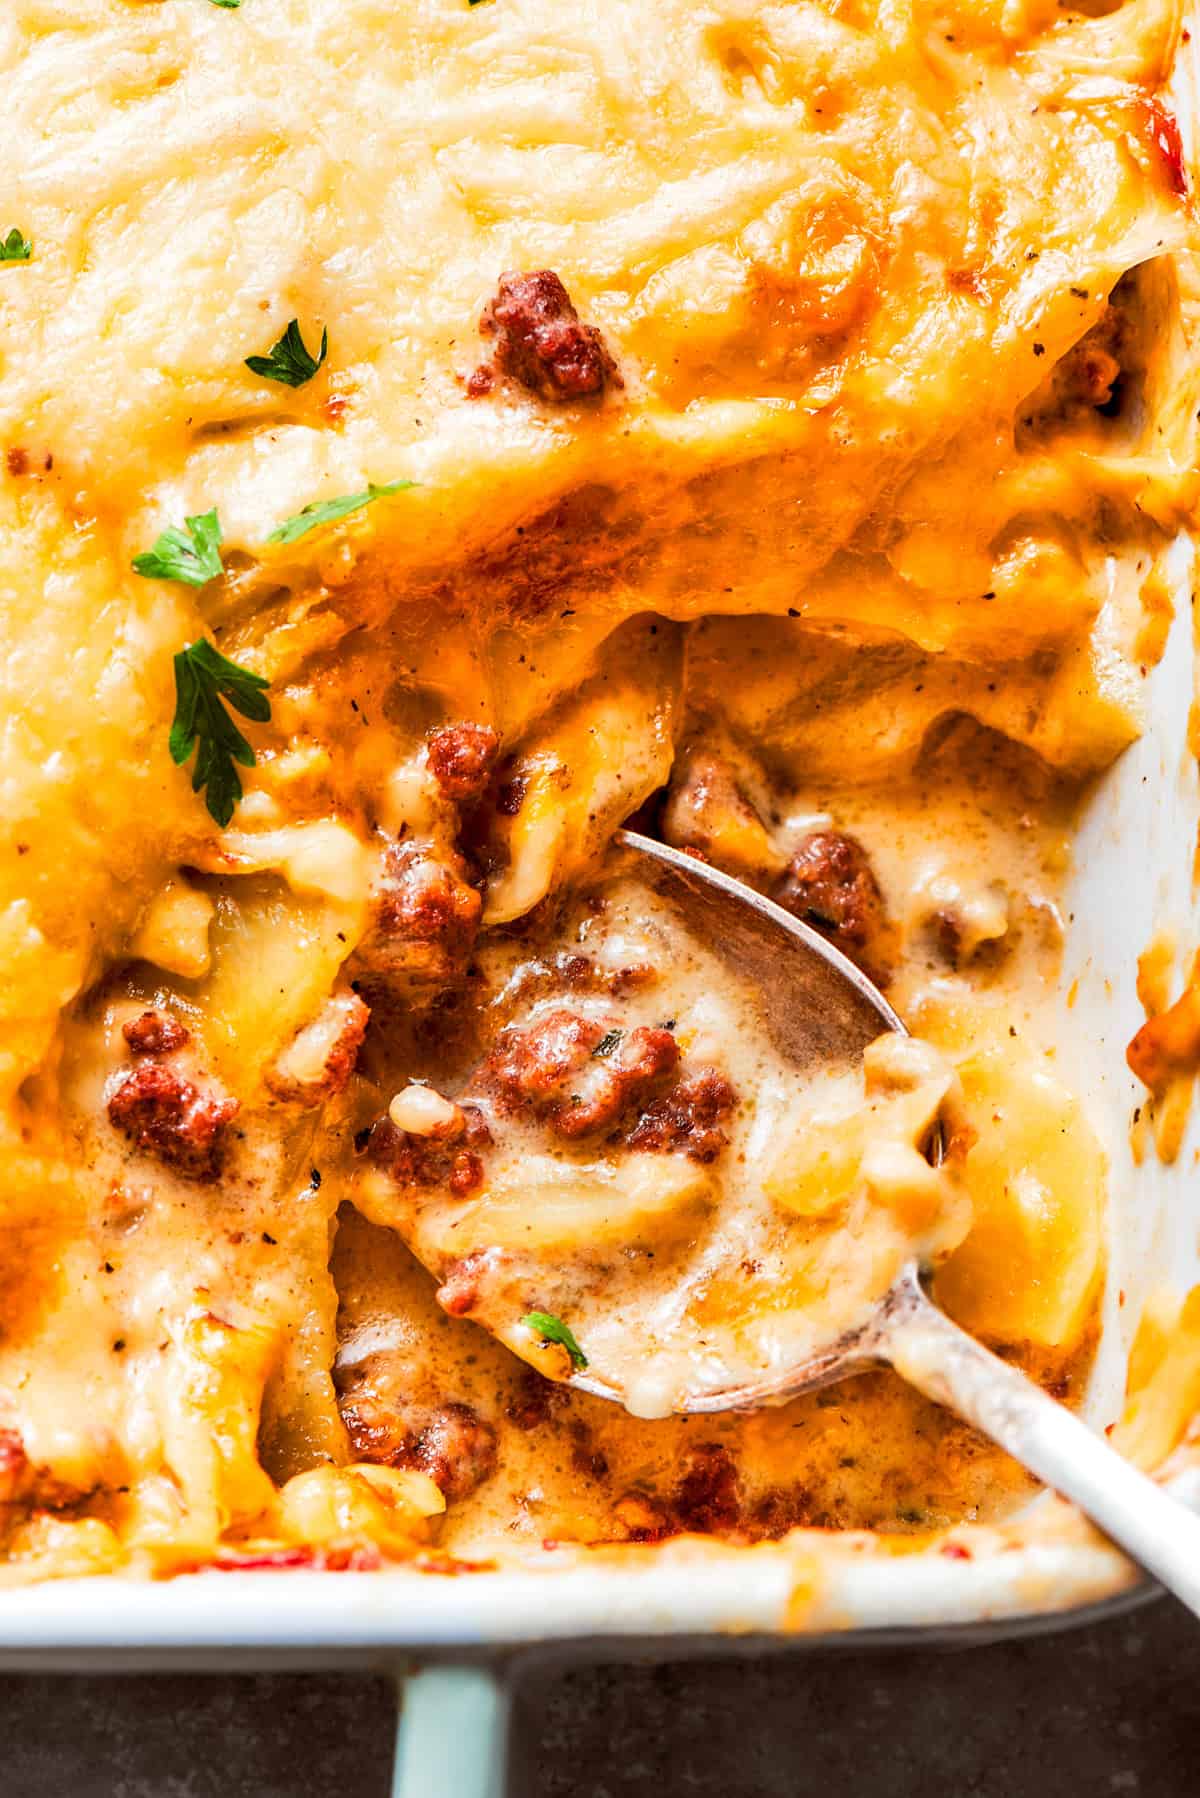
953, 1369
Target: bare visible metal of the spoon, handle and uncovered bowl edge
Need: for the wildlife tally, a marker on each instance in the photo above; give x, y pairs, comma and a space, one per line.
821, 1008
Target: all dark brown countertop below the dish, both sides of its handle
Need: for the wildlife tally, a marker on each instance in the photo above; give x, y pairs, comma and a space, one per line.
1107, 1711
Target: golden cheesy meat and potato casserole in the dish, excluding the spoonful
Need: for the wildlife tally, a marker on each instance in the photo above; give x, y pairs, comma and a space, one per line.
814, 513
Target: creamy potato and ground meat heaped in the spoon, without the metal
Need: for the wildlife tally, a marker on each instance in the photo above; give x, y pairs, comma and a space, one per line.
636, 1179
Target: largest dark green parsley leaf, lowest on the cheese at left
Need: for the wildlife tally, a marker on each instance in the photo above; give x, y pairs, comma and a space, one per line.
202, 679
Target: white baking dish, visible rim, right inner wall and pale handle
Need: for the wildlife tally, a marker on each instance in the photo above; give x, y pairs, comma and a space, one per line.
1133, 877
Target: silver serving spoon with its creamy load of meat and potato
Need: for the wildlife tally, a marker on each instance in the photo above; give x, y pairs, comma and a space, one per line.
712, 1256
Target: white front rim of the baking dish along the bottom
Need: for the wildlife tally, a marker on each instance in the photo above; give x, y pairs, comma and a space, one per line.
740, 1592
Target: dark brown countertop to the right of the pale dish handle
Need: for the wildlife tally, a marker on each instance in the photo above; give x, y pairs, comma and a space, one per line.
1106, 1711
